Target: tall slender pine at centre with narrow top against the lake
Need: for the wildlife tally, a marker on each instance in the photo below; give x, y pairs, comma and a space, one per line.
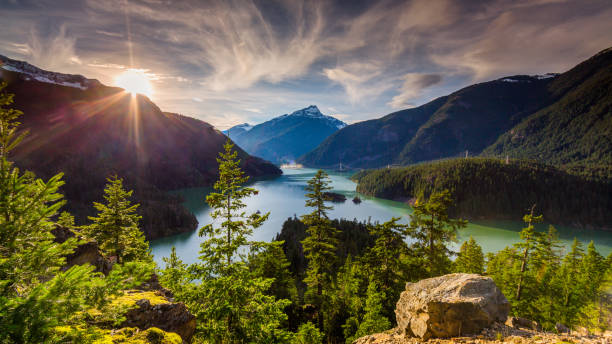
319, 246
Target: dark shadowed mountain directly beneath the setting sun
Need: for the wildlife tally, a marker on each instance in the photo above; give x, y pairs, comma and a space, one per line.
90, 131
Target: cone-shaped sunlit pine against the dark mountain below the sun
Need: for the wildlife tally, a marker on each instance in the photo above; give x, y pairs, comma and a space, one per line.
116, 227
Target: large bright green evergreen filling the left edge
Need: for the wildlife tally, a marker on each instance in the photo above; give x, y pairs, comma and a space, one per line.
36, 296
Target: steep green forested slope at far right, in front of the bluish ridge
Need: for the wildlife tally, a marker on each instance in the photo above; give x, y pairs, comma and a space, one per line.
576, 128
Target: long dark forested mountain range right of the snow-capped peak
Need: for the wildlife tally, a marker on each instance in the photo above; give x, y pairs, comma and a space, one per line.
555, 118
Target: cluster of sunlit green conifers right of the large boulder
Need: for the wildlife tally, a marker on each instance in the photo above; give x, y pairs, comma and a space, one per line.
543, 285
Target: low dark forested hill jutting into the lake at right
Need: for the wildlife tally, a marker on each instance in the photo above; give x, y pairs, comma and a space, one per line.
491, 189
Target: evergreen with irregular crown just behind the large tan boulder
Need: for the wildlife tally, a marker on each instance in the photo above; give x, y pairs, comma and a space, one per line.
433, 230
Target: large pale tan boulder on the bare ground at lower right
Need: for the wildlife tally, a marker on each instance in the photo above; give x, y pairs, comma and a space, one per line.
450, 306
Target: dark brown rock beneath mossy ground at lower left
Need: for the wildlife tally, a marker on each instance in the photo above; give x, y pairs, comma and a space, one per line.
170, 317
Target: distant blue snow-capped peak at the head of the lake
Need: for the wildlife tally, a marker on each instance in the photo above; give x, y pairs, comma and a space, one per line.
285, 138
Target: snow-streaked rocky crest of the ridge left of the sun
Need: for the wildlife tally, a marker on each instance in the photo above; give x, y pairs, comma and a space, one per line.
32, 72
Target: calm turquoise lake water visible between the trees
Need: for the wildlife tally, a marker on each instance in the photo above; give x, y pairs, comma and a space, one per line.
284, 197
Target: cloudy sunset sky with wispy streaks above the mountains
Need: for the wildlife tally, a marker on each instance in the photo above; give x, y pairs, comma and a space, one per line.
229, 62
